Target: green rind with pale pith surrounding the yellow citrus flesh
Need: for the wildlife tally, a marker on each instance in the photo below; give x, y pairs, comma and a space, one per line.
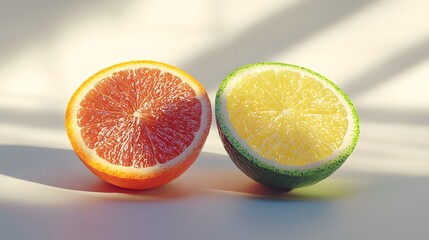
270, 175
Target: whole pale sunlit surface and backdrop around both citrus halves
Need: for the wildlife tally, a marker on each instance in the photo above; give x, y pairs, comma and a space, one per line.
377, 51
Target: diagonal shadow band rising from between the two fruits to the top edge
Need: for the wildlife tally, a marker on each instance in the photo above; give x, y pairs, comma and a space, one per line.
278, 32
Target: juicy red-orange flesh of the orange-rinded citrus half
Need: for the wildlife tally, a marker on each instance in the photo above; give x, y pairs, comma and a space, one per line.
139, 117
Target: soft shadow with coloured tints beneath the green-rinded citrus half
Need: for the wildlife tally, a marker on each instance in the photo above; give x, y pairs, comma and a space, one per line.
216, 172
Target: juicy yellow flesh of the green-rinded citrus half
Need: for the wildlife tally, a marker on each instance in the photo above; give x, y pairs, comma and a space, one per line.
287, 117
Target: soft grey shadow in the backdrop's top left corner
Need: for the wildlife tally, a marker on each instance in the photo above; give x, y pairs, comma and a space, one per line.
24, 22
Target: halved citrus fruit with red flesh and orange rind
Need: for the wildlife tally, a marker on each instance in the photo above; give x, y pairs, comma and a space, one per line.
139, 124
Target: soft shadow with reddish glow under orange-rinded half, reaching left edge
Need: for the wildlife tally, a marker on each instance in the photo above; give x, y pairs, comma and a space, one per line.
61, 168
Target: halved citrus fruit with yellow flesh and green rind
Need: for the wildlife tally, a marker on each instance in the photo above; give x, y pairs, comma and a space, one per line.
283, 125
